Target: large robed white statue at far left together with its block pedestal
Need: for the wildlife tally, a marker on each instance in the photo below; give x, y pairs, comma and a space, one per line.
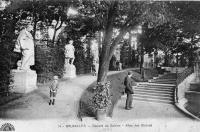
24, 79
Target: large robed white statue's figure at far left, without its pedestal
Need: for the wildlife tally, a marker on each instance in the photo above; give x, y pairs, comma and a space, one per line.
25, 45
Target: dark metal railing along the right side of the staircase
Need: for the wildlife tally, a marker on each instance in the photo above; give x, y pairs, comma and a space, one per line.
180, 78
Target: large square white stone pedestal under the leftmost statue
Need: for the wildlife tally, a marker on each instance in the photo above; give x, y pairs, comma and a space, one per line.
23, 81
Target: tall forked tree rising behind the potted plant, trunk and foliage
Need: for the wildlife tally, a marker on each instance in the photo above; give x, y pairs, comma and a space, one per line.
124, 16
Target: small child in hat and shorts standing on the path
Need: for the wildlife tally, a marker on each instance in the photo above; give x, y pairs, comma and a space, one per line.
53, 90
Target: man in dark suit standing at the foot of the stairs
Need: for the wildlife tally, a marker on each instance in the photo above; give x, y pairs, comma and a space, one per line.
128, 90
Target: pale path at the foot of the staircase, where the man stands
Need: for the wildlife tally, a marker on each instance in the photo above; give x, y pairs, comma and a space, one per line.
148, 110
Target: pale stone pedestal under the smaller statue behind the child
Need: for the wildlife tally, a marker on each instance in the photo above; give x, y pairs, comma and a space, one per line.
70, 71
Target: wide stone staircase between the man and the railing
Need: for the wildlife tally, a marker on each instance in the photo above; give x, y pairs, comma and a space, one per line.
159, 90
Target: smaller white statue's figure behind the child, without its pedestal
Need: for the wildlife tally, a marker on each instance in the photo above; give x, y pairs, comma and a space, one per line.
69, 53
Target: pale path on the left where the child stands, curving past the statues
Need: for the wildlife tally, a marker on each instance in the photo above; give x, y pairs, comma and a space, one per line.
35, 105
